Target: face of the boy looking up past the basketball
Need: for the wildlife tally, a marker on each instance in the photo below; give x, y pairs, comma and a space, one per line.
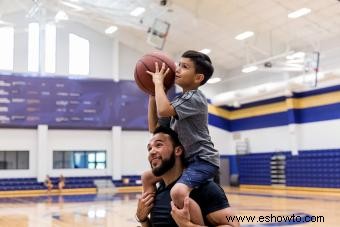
186, 76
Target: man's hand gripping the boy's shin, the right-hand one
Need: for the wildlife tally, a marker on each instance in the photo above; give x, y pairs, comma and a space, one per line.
181, 216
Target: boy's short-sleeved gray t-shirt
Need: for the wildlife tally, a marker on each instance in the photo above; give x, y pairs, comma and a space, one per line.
191, 125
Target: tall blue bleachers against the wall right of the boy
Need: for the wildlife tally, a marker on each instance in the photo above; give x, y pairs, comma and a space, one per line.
310, 168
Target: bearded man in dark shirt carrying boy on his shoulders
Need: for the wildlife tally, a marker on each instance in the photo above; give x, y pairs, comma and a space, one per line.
166, 160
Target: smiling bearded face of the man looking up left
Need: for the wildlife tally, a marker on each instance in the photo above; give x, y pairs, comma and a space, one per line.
161, 154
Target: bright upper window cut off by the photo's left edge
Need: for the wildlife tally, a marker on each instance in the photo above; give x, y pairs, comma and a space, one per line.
6, 47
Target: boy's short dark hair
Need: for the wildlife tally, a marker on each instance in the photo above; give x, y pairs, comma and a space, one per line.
202, 63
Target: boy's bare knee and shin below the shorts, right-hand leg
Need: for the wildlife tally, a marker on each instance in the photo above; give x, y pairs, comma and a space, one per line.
178, 193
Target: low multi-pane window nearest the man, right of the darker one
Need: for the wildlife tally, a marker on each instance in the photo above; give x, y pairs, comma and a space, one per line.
79, 159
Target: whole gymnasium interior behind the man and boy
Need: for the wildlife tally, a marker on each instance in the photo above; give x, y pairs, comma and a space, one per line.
74, 126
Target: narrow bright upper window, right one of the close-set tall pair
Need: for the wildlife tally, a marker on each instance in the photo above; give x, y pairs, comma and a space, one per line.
50, 48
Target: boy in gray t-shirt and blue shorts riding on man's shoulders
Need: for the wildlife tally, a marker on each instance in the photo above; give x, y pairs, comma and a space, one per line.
187, 114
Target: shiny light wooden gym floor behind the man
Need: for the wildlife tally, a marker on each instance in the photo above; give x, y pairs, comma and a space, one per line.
118, 209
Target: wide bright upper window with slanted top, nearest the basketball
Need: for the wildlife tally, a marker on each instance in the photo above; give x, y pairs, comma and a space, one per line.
79, 55
